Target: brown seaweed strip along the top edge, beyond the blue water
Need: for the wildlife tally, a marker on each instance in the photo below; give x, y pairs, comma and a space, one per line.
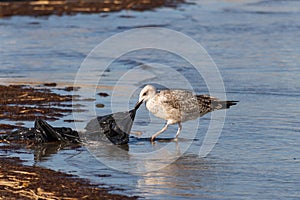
60, 7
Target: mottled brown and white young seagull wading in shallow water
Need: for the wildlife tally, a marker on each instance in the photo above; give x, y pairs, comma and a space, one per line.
178, 105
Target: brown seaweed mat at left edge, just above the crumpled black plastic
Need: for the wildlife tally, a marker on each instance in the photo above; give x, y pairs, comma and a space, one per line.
25, 103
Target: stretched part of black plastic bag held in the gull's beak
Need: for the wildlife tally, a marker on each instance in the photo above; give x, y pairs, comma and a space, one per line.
115, 127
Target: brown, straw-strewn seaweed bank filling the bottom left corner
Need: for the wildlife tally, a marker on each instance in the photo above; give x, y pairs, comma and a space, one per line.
18, 181
